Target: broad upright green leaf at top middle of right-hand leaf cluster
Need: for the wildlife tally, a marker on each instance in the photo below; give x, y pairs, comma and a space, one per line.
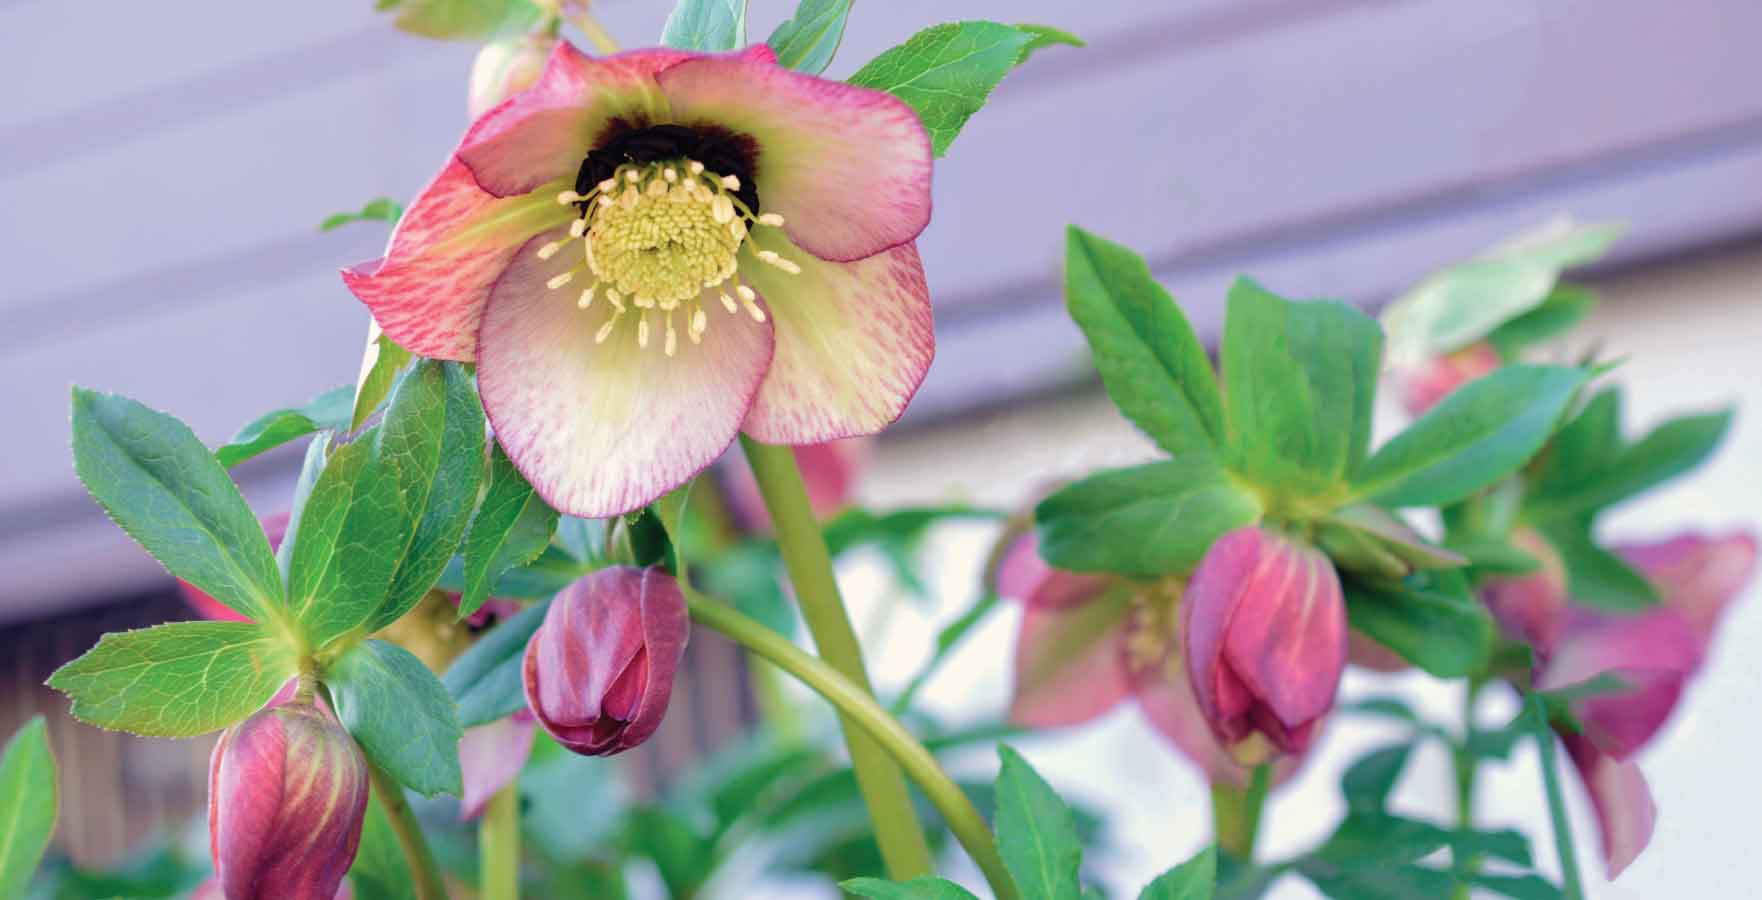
1303, 380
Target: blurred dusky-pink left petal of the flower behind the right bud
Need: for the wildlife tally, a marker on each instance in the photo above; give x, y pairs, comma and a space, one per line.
1069, 663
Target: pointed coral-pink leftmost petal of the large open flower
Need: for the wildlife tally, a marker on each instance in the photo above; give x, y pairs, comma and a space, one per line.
427, 293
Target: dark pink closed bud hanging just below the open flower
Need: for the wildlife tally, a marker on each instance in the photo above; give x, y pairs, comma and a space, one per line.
600, 670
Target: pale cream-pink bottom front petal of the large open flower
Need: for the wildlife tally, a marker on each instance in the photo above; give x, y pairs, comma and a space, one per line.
603, 429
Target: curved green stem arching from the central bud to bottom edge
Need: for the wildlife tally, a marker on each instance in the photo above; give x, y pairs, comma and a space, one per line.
882, 730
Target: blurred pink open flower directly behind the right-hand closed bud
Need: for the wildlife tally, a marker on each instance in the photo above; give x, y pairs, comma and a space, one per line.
1090, 642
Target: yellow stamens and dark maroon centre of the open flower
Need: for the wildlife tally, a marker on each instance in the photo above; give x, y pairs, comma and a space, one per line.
660, 237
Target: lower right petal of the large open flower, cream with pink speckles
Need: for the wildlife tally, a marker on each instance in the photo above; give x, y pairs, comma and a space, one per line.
854, 343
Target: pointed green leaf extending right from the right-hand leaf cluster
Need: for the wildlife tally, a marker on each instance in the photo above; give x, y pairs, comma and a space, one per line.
1479, 434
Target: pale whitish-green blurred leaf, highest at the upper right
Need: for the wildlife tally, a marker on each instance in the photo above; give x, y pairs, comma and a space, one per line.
1467, 302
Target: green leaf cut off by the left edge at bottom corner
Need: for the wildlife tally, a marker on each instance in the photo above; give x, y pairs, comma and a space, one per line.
27, 806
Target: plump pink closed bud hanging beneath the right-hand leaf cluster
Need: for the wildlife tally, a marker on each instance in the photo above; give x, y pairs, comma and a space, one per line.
1264, 630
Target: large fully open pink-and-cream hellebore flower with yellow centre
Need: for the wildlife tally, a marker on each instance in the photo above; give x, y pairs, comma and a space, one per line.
651, 253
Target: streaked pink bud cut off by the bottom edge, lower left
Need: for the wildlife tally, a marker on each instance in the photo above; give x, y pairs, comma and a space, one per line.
286, 800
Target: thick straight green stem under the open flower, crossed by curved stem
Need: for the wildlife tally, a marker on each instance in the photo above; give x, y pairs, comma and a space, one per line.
810, 564
